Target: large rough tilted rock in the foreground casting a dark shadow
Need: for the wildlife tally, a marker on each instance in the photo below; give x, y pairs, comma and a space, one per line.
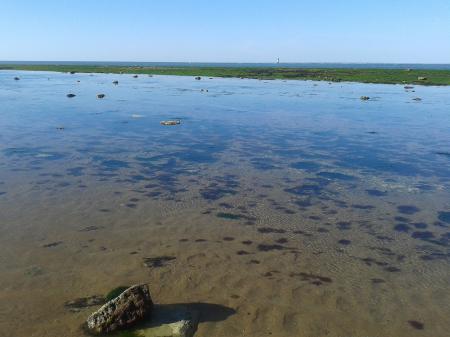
130, 307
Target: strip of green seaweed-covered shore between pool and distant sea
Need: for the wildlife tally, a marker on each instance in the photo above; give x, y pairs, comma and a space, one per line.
387, 76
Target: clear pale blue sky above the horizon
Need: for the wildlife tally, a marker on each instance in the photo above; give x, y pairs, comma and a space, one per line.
391, 31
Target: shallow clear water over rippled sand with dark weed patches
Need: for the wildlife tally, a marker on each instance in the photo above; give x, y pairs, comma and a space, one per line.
293, 208
